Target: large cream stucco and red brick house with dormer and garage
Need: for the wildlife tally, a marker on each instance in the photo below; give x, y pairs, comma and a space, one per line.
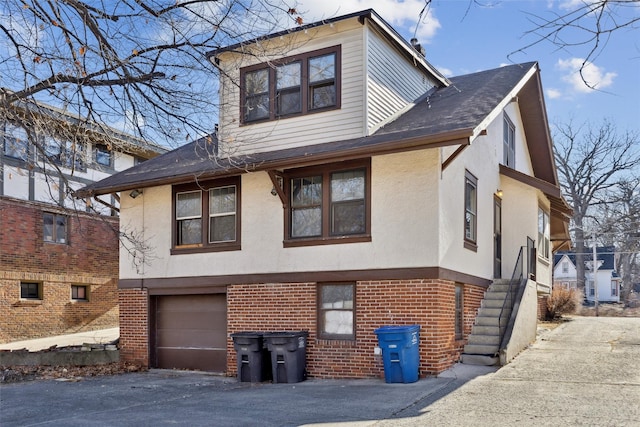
349, 185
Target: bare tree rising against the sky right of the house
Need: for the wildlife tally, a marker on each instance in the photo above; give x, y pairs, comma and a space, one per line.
591, 162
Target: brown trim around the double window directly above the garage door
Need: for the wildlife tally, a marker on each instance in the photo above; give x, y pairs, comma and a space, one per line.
204, 246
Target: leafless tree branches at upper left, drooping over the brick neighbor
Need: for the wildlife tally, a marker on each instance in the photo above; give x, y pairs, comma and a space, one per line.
75, 70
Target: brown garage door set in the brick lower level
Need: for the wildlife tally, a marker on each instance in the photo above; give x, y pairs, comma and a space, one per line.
191, 332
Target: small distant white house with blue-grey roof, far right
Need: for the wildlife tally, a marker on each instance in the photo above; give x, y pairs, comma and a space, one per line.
608, 280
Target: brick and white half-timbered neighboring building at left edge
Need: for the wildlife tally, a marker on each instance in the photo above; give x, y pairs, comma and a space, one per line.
58, 263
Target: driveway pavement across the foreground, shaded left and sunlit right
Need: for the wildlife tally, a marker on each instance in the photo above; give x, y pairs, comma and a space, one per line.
585, 372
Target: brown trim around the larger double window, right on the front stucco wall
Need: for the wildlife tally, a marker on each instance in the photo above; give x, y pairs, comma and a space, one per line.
326, 238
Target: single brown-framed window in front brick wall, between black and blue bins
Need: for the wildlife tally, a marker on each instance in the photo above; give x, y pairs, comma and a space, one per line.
336, 311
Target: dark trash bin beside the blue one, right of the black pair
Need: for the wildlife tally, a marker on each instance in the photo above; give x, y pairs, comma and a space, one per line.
288, 355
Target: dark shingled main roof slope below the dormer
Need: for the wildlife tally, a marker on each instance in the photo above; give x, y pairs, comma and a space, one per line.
447, 116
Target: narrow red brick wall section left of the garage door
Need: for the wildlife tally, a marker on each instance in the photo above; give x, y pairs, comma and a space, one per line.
134, 326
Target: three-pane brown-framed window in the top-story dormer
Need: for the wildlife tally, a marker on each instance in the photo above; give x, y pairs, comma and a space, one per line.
301, 84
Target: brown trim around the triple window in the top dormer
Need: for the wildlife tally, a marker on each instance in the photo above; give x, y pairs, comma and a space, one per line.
304, 84
